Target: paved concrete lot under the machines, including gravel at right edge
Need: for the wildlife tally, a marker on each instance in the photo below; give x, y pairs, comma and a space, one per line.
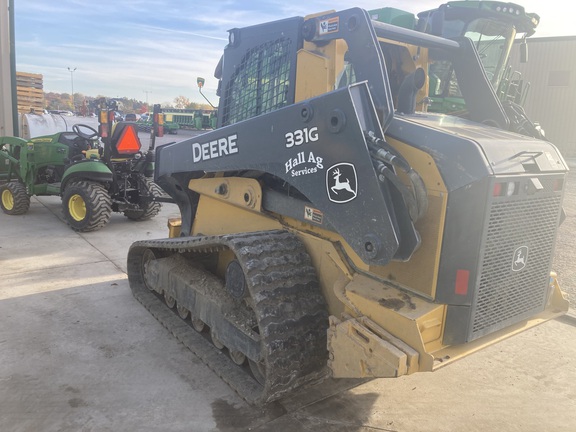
79, 353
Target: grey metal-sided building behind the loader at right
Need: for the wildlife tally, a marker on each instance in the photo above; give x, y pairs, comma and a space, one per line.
553, 106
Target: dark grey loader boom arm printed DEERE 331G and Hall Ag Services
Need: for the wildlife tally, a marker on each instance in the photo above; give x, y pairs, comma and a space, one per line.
318, 147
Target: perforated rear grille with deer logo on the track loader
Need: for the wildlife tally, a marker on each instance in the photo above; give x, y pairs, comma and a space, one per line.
524, 225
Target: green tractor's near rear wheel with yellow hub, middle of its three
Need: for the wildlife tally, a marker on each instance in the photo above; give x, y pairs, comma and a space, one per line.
86, 205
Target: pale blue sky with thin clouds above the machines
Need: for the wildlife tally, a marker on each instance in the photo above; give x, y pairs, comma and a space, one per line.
154, 50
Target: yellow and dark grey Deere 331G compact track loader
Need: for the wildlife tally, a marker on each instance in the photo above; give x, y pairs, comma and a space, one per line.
330, 226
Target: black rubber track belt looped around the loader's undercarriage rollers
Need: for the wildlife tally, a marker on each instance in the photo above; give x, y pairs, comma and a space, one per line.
289, 307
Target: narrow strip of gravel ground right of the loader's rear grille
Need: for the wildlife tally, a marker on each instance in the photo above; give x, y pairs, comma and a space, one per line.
565, 257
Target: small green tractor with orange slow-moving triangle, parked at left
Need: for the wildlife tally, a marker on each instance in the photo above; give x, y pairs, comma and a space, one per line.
95, 172
